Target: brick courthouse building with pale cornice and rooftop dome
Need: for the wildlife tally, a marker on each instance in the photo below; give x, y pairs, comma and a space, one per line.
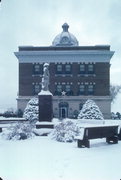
77, 73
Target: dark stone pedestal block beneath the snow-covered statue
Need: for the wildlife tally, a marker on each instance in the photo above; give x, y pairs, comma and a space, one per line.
45, 107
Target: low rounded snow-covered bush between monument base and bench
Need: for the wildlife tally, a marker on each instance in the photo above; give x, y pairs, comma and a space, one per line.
65, 131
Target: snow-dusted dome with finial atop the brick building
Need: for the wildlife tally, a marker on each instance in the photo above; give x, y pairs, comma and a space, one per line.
65, 38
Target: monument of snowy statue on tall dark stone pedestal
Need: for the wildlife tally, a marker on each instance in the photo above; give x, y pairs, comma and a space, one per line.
45, 98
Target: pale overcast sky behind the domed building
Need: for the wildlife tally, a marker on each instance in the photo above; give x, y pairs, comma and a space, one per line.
37, 22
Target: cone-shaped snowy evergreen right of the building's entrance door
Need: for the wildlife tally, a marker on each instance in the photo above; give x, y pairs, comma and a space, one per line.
90, 111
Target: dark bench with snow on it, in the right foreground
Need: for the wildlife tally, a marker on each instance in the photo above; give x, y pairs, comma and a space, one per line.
110, 132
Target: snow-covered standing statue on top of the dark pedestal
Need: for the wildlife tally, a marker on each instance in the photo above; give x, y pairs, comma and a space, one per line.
45, 78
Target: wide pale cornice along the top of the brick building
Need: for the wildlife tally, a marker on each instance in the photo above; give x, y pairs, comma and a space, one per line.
64, 56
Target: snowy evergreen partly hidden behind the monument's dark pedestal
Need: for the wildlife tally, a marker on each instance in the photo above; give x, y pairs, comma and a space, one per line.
32, 110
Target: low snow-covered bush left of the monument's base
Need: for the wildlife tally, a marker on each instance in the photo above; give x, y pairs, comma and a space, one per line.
18, 131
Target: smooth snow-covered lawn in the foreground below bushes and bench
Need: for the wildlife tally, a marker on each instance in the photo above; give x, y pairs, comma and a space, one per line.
41, 158
